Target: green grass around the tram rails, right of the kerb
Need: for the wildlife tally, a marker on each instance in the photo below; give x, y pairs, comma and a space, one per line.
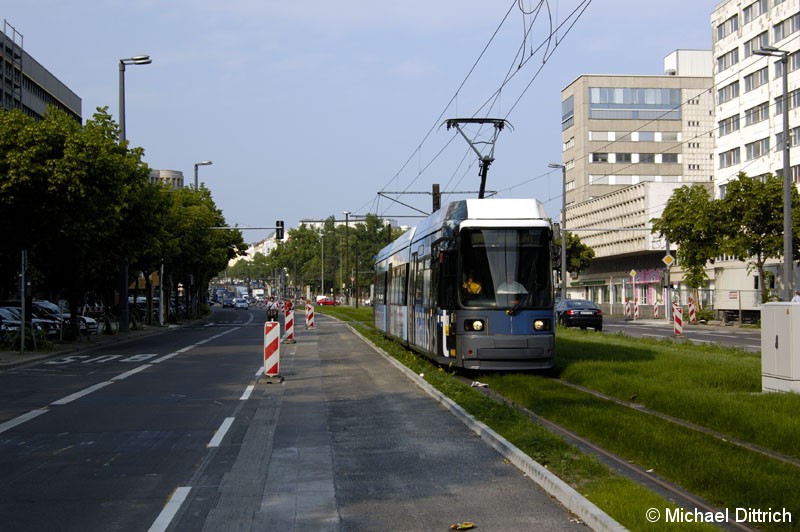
709, 386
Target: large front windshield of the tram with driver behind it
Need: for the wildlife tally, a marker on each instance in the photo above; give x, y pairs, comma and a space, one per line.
506, 268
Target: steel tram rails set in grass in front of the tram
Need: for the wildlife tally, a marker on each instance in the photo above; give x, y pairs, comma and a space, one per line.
624, 467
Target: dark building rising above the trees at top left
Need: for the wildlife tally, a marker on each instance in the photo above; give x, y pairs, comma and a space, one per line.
27, 85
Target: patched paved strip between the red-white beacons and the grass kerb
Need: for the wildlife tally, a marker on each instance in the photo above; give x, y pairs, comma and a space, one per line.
350, 442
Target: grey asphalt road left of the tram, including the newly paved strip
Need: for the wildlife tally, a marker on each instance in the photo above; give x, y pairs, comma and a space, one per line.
180, 432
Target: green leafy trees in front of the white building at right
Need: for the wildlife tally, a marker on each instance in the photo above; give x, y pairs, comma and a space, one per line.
746, 223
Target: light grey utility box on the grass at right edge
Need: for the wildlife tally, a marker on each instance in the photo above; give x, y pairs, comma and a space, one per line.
780, 347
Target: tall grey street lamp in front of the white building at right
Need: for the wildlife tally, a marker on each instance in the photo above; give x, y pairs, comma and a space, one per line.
787, 172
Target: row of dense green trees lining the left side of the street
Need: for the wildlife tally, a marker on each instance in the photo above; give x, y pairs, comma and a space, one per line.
81, 204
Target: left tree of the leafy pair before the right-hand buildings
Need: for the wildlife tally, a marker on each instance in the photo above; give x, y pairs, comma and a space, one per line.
691, 221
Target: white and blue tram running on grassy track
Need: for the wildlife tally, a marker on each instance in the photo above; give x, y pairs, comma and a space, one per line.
472, 286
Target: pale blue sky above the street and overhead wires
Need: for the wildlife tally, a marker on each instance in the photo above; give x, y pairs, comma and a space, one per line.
309, 109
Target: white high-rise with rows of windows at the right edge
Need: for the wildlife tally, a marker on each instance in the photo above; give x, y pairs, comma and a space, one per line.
749, 111
